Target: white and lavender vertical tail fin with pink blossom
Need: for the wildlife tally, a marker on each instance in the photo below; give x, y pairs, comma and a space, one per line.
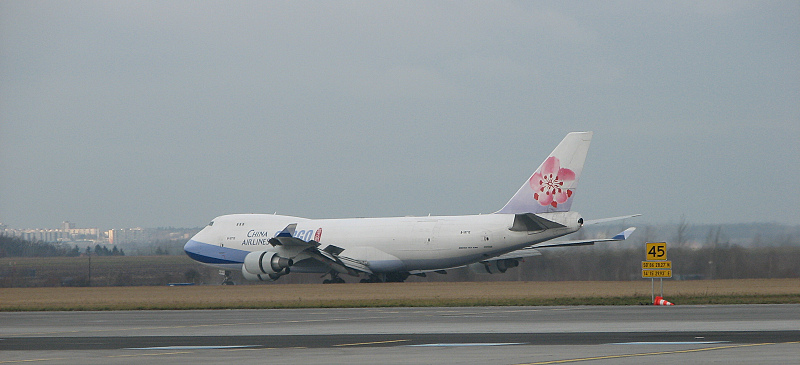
552, 187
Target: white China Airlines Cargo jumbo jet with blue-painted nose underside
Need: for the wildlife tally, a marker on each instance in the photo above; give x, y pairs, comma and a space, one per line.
265, 247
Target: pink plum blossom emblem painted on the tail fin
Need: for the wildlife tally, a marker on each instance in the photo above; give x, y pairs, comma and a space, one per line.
548, 183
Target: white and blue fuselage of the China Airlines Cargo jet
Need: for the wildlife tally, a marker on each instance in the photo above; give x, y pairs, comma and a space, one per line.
382, 244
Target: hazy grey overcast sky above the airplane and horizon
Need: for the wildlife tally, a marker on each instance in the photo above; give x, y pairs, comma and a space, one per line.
122, 114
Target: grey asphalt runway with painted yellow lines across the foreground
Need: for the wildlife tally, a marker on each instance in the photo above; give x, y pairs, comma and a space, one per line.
494, 335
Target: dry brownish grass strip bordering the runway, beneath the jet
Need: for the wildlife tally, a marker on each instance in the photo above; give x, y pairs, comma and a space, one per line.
399, 294
